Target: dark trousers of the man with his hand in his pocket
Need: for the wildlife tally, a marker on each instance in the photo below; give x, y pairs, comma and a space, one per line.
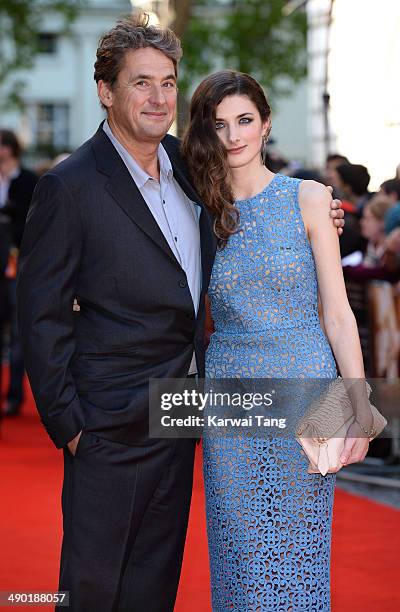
125, 512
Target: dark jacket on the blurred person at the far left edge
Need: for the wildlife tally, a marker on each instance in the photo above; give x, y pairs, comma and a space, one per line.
19, 199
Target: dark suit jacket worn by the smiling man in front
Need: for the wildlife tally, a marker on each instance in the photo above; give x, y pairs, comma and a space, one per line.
90, 235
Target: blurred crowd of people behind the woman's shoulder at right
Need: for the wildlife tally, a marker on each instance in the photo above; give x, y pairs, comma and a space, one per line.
372, 218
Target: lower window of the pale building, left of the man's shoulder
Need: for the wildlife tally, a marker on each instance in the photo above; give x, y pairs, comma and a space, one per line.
50, 126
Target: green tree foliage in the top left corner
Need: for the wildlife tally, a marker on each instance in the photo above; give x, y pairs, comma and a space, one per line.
20, 25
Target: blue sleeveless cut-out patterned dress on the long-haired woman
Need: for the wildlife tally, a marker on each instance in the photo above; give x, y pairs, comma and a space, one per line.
268, 520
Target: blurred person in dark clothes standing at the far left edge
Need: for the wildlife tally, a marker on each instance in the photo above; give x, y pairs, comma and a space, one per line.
16, 189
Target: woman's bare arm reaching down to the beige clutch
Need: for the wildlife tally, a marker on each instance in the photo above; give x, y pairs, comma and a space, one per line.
340, 324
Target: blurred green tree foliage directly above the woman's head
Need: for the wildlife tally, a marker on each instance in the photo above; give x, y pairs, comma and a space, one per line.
253, 36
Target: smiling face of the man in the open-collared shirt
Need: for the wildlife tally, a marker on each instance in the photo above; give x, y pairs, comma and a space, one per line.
142, 103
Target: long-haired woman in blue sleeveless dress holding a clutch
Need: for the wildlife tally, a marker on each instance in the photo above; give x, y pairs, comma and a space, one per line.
268, 519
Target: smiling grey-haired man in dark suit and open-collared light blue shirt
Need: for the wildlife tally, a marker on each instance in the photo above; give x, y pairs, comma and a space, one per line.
118, 227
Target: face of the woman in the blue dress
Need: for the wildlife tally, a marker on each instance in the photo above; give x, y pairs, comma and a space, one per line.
240, 128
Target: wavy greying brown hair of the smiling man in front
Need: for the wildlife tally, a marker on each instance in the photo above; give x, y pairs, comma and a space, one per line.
129, 34
